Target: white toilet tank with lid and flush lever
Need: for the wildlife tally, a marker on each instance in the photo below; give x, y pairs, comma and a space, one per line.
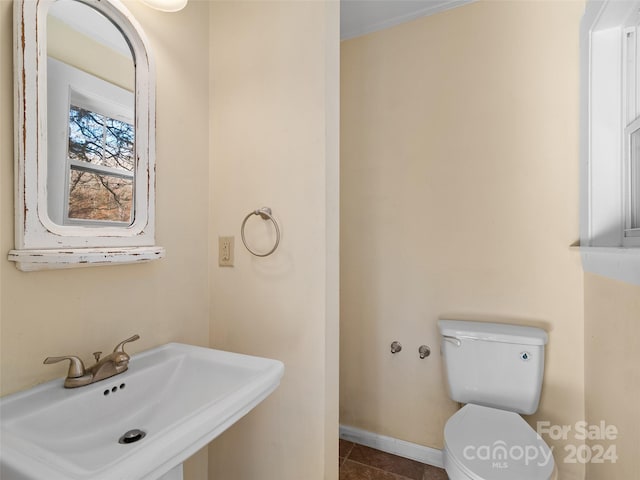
493, 364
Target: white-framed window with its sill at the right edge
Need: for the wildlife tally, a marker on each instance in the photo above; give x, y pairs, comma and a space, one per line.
610, 139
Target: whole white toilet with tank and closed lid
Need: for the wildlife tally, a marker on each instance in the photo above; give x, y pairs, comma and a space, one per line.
497, 370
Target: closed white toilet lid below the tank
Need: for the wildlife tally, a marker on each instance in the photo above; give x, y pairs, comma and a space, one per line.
484, 443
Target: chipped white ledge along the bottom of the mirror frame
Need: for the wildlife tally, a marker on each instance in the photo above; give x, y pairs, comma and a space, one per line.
31, 260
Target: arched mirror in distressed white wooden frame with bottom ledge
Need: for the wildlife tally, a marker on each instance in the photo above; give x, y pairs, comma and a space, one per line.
85, 135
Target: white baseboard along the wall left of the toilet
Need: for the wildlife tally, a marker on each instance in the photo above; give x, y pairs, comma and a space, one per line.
428, 455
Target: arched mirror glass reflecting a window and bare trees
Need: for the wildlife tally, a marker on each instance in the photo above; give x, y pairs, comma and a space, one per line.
91, 137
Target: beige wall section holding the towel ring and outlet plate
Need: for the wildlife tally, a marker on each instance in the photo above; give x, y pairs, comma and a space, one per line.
274, 127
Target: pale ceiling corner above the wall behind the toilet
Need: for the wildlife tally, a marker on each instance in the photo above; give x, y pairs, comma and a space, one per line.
358, 17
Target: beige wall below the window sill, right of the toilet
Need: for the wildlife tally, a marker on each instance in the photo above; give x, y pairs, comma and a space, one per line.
612, 377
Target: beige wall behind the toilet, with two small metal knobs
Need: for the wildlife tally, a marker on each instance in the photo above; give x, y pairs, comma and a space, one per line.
459, 187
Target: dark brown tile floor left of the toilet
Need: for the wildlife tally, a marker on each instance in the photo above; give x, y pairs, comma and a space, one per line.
358, 462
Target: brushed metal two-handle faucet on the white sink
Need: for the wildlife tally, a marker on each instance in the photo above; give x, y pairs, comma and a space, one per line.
113, 364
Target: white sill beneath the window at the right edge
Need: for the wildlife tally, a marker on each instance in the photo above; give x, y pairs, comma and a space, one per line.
614, 262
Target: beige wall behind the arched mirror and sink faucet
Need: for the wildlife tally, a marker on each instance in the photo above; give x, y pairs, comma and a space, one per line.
83, 310
